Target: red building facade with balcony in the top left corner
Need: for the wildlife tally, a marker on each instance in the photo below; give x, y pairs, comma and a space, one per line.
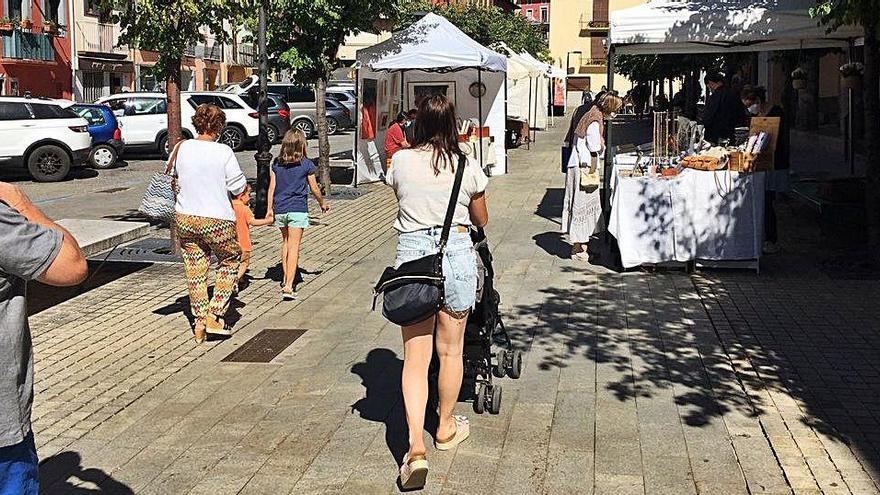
35, 48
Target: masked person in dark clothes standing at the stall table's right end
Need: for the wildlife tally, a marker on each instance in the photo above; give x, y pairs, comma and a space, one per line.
777, 180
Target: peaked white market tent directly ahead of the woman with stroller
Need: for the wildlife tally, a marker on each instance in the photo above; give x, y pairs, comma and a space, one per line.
430, 56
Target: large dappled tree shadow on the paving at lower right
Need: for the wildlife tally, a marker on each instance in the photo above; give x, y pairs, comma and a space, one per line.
724, 343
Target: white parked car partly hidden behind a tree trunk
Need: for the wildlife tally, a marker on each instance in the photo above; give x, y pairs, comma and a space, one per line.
145, 120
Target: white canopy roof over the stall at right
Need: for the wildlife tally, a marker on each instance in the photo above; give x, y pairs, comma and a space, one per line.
710, 26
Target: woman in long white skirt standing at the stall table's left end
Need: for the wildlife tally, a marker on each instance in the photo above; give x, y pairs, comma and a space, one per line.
582, 208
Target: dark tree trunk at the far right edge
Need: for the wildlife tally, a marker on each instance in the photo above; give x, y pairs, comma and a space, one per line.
871, 91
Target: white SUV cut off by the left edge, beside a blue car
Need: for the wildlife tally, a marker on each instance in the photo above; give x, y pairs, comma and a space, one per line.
40, 135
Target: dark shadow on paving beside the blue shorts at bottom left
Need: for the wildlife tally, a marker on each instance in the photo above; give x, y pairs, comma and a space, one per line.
56, 471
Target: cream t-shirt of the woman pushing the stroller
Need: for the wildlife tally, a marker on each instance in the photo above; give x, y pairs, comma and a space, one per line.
423, 197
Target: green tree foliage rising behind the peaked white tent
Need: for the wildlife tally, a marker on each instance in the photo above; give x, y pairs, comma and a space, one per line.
486, 25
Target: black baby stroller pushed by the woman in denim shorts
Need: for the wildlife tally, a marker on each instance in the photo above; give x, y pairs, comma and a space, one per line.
485, 329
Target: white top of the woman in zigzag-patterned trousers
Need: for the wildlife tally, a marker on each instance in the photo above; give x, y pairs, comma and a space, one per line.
207, 172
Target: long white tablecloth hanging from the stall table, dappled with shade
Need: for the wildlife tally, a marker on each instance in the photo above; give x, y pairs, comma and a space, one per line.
717, 216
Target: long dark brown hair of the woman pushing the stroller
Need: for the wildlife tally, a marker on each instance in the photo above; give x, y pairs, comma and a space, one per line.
436, 128
